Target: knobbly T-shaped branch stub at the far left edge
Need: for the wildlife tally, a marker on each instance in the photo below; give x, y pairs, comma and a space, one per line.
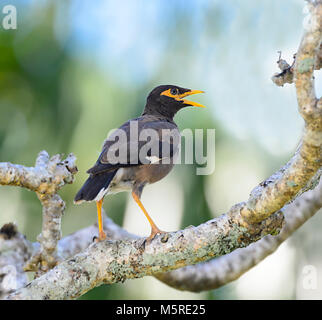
46, 178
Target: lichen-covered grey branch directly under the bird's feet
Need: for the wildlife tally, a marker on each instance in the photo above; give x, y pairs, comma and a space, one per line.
114, 261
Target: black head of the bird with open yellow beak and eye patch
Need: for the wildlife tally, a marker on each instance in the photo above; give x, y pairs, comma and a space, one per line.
167, 100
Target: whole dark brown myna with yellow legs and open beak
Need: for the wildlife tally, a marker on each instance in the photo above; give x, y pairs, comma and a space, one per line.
142, 162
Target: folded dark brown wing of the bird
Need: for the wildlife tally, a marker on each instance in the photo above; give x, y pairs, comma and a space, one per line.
143, 140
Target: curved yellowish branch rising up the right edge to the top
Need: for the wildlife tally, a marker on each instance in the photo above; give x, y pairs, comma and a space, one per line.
285, 184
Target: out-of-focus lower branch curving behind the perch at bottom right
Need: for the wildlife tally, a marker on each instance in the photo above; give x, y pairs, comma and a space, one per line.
218, 272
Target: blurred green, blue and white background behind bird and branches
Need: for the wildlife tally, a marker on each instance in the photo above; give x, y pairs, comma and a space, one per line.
73, 70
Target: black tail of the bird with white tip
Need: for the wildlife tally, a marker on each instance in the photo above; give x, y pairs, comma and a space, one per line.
94, 187
